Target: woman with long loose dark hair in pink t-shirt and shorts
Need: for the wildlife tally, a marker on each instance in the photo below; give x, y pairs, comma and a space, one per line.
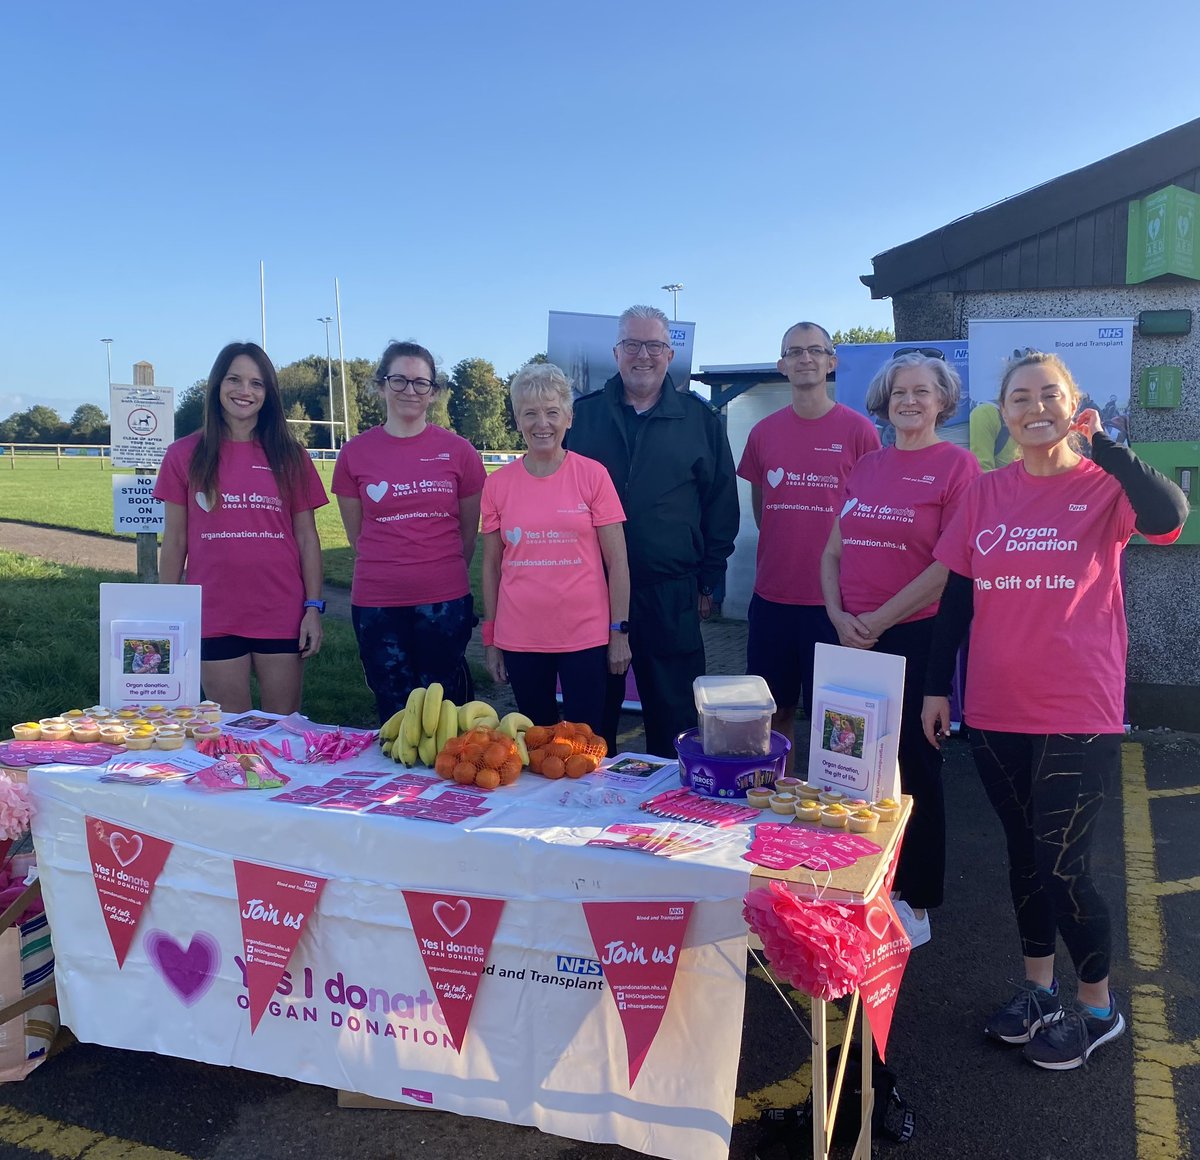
239, 497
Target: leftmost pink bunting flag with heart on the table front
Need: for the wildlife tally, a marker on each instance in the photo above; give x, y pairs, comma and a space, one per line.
125, 867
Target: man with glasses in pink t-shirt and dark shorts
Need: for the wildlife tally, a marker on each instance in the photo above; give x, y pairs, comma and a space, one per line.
796, 464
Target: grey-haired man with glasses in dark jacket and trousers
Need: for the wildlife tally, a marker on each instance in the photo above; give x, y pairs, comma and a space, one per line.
671, 465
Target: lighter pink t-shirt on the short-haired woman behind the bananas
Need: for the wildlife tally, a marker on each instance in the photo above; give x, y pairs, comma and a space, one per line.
554, 593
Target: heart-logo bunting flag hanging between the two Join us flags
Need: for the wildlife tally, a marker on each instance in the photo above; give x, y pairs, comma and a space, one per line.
454, 935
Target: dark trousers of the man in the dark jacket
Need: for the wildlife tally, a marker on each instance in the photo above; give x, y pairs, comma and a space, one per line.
669, 656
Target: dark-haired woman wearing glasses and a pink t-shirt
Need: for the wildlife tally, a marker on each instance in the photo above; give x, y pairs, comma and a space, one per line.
409, 494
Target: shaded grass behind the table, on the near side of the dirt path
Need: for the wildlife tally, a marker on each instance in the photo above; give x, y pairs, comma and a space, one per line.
49, 624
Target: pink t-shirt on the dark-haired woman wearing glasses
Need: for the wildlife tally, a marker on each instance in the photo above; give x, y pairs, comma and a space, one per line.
410, 550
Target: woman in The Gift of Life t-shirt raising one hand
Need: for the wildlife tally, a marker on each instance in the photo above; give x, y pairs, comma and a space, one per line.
1035, 570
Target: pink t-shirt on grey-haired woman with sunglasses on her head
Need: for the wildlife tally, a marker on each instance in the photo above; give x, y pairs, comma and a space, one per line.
897, 506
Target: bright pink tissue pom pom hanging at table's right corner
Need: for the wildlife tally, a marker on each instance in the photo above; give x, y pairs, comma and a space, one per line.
812, 945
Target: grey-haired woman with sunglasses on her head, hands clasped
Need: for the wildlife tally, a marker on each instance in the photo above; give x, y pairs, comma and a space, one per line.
881, 586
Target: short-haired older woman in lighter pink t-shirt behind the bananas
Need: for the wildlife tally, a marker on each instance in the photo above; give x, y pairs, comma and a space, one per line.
556, 578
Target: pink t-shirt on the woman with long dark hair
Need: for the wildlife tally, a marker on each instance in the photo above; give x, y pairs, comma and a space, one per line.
244, 552
